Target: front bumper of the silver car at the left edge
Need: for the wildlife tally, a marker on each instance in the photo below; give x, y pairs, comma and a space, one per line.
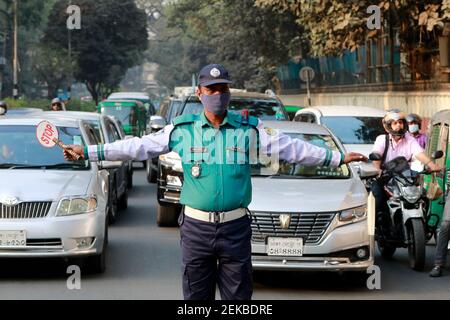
56, 236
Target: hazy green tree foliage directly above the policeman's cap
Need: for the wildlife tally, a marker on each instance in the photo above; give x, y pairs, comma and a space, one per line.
250, 41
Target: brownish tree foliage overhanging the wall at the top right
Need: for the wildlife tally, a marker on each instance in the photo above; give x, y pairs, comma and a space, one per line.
335, 26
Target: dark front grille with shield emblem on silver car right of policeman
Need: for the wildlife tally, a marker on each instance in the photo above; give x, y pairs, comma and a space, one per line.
309, 226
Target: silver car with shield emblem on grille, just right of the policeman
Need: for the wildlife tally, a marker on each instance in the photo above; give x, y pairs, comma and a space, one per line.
309, 218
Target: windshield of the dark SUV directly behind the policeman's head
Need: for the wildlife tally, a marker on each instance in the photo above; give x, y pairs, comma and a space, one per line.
262, 109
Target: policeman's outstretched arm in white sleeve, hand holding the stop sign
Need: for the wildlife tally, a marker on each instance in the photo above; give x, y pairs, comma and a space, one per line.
138, 149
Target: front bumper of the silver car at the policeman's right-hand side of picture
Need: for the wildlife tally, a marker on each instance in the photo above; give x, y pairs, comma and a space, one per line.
335, 252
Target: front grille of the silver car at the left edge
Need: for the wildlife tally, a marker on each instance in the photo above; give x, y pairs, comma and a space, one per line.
25, 210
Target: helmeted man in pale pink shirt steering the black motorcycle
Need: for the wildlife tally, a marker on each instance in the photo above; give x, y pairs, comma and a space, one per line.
399, 143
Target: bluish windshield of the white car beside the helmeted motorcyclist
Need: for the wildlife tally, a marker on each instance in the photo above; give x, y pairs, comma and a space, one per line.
355, 130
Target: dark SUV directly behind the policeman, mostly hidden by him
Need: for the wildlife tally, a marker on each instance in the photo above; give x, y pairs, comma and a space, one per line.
170, 172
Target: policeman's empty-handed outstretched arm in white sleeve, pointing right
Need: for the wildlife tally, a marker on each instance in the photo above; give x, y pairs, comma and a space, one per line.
298, 151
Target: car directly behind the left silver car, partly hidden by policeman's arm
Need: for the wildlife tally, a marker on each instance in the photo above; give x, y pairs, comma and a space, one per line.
106, 130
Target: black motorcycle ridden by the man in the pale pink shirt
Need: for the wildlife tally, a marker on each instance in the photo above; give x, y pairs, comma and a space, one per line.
402, 224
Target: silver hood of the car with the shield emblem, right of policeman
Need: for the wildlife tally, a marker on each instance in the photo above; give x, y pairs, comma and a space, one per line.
306, 195
